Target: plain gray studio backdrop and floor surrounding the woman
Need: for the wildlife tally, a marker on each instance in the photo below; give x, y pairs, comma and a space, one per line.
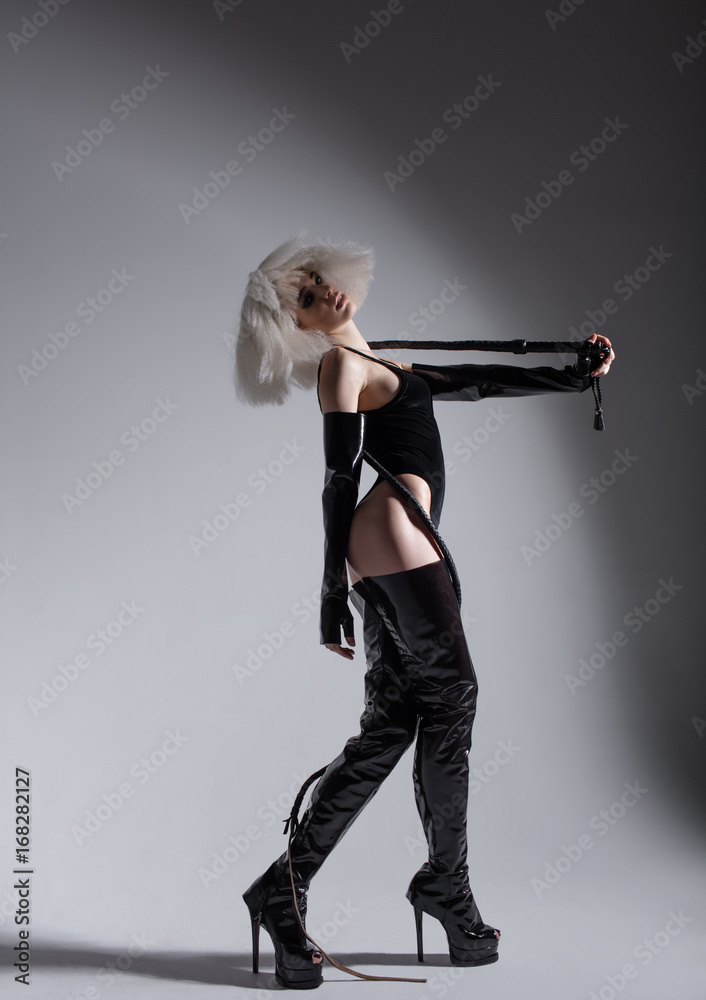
521, 172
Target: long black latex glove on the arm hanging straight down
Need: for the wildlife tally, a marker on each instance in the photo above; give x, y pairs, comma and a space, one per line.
343, 450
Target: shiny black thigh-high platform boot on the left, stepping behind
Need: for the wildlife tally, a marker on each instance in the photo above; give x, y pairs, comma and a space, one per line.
387, 728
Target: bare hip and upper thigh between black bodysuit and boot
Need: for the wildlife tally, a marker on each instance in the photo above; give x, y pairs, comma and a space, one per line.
386, 537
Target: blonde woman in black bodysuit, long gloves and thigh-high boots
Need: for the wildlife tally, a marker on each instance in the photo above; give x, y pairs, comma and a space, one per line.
297, 327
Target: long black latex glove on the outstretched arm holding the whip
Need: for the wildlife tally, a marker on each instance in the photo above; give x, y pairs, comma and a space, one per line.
474, 382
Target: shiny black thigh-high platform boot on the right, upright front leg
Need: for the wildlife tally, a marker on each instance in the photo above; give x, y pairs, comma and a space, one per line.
421, 612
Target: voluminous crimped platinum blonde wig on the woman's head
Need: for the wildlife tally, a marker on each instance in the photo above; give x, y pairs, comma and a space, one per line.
272, 353
